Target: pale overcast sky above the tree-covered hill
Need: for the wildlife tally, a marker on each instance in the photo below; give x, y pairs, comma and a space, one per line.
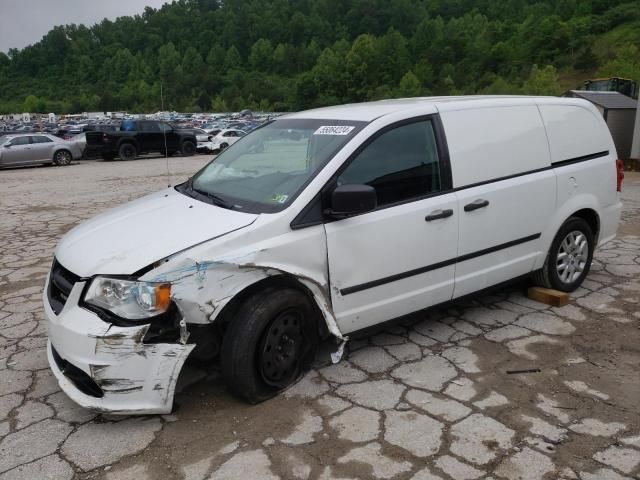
24, 22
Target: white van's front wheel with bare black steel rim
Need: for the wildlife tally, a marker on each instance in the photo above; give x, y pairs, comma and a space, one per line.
269, 344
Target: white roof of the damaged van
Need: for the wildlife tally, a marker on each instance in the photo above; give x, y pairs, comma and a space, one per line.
369, 111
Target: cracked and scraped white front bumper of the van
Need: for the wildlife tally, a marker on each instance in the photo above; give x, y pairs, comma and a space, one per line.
108, 368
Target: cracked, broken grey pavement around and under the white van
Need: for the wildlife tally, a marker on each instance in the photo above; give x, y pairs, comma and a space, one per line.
424, 398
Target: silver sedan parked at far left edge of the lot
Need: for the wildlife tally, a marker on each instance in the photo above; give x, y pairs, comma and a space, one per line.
37, 148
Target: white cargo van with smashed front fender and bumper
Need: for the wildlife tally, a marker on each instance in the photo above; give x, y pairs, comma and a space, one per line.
322, 223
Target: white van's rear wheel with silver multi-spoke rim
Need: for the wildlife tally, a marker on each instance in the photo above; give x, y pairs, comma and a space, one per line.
569, 259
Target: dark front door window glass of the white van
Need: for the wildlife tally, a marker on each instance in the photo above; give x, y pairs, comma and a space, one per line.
401, 164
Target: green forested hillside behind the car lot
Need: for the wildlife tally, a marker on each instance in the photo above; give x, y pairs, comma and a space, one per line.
219, 55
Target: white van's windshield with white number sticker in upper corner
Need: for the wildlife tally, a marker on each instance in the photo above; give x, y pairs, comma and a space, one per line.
266, 169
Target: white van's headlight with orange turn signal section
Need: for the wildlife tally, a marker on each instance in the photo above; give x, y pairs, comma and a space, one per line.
129, 299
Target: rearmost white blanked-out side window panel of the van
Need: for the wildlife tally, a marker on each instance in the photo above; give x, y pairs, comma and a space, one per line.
574, 131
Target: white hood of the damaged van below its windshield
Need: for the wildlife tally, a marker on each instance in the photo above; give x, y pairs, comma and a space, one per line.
129, 237
